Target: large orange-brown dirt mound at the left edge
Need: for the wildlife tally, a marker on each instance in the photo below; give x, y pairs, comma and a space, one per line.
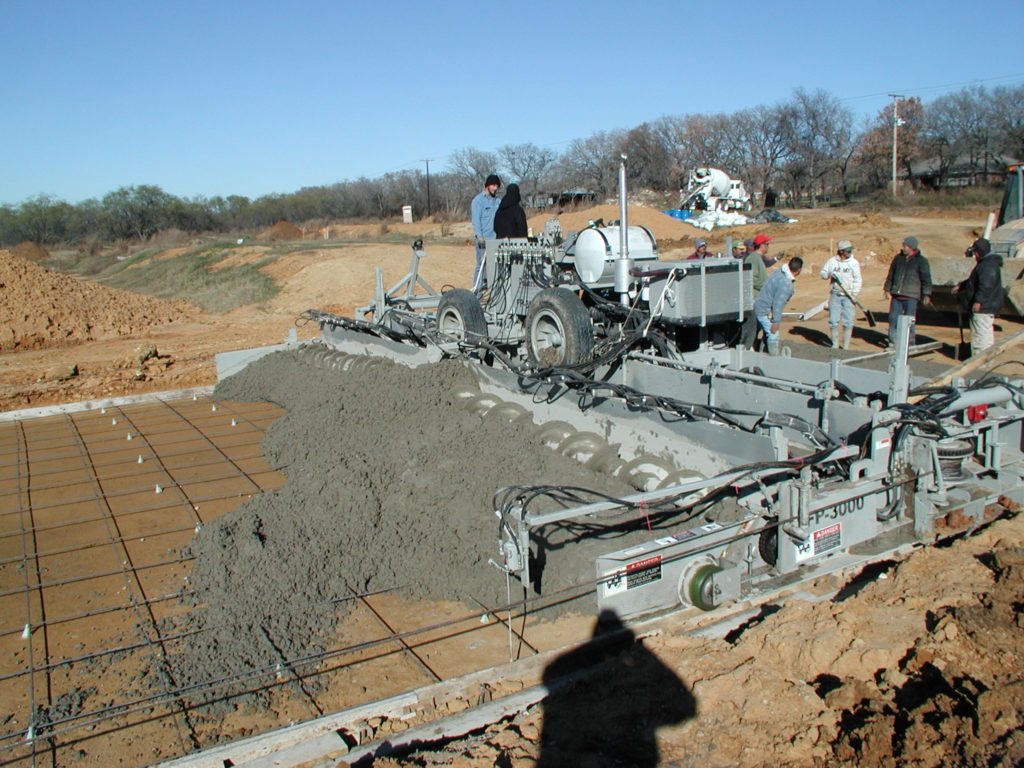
42, 309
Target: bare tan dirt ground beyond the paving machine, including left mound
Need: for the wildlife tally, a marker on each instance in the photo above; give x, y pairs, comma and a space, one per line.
48, 321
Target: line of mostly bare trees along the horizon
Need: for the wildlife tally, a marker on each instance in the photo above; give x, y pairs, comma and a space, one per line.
806, 149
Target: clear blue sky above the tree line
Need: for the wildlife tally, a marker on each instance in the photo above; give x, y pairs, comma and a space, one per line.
258, 98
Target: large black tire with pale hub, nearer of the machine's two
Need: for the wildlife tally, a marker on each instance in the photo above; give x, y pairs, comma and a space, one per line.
560, 331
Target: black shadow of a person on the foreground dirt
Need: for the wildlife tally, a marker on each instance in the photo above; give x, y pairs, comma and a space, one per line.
607, 700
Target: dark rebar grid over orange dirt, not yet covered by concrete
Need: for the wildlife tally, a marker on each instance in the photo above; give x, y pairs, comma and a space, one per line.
60, 733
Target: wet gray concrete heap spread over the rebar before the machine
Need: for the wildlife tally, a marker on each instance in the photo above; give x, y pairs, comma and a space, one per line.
390, 485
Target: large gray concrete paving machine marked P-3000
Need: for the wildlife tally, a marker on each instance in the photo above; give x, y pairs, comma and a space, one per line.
750, 471
